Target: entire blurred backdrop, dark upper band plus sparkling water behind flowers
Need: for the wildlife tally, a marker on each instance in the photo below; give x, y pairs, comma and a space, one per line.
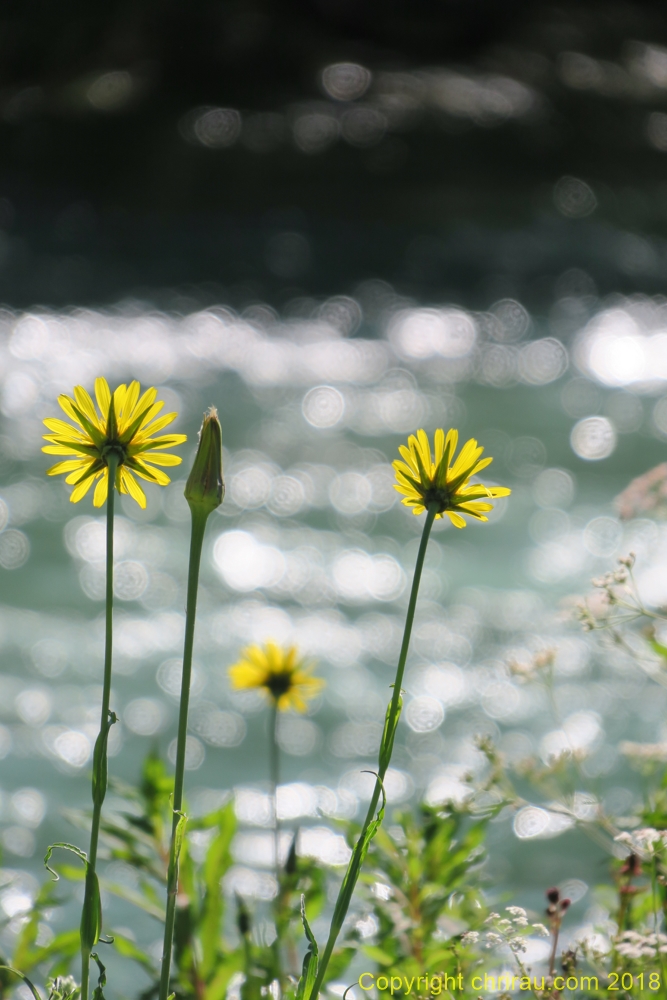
337, 225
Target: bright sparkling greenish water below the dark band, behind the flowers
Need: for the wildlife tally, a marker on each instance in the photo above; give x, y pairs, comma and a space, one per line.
313, 547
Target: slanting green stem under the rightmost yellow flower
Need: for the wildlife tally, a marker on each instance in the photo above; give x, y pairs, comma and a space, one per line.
352, 874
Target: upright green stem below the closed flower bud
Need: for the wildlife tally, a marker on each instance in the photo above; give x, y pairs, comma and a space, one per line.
199, 519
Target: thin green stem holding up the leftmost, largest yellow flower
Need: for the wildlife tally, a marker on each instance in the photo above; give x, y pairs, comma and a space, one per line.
99, 787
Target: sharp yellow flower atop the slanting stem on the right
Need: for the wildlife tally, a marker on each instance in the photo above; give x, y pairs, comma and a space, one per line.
424, 480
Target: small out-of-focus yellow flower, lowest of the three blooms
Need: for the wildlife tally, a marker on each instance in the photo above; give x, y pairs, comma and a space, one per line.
279, 673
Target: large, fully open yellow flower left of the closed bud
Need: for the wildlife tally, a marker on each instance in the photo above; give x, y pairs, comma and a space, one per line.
124, 427
